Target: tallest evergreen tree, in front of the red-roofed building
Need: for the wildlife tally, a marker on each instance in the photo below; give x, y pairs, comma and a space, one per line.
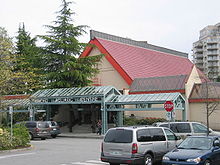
62, 67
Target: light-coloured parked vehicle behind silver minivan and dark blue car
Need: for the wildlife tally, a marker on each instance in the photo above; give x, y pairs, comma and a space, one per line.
184, 129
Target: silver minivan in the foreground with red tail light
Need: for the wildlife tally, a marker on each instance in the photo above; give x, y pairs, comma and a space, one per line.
137, 145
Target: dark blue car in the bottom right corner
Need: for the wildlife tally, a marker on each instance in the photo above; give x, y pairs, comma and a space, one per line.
199, 150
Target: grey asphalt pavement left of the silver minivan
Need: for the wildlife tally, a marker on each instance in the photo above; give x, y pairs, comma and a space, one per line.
59, 151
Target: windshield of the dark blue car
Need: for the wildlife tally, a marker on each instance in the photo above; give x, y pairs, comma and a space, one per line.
200, 143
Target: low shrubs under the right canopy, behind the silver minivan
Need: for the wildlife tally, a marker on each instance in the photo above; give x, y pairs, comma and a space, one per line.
145, 121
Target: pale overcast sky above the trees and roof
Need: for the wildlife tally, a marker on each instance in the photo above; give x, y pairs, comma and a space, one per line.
173, 24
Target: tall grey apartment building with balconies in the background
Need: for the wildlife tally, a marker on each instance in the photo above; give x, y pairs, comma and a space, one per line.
206, 51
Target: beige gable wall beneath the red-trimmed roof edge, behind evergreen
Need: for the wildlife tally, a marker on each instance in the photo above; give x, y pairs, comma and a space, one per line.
108, 74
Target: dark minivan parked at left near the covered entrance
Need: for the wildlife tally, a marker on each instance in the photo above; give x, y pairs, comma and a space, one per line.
37, 129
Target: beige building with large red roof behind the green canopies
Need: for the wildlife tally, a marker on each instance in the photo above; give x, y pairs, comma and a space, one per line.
137, 67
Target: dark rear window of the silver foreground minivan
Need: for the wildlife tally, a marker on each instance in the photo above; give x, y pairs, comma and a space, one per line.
119, 136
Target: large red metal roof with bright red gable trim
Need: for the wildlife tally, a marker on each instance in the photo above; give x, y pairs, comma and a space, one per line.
137, 62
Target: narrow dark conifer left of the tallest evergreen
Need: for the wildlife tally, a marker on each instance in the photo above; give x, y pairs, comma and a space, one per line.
26, 67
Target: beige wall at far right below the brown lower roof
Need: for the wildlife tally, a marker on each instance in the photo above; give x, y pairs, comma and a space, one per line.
198, 113
